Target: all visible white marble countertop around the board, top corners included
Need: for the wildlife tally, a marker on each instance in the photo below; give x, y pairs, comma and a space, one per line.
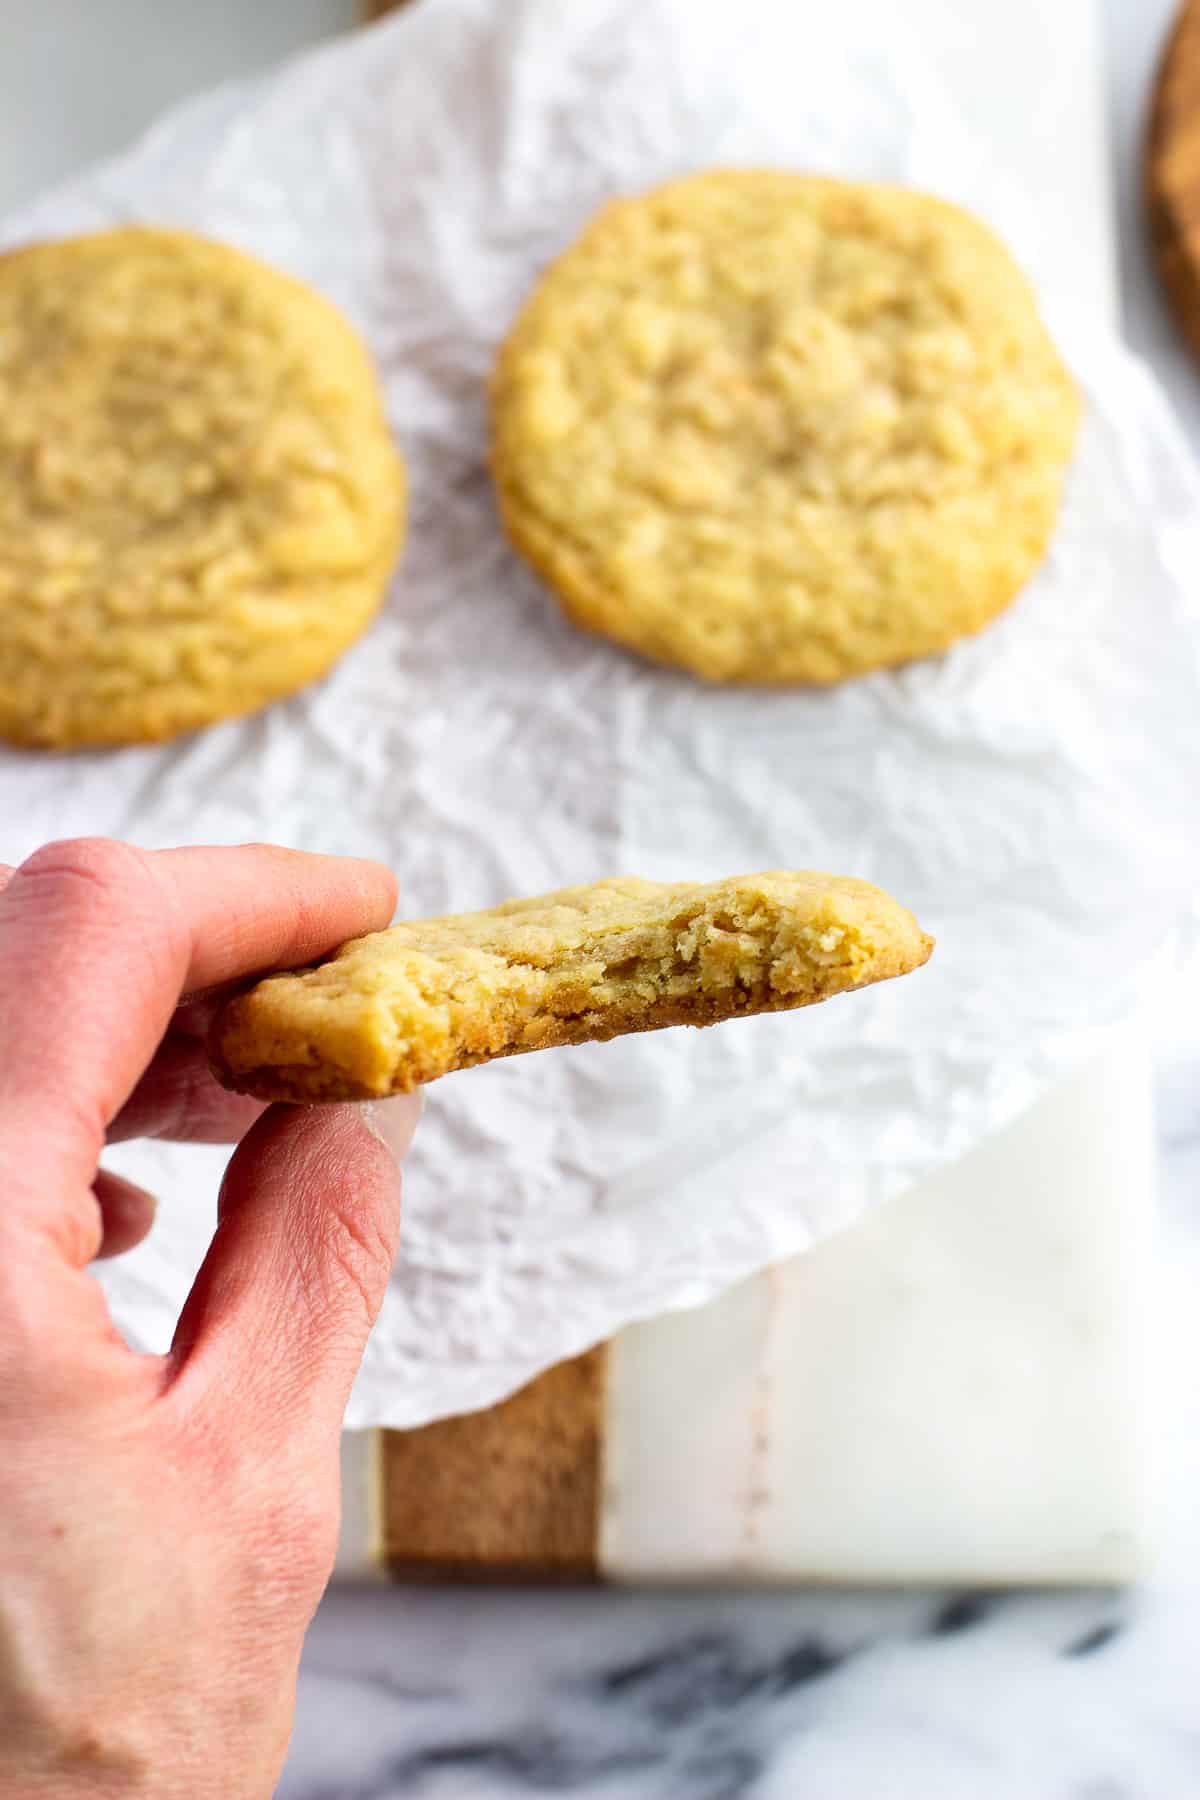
837, 1696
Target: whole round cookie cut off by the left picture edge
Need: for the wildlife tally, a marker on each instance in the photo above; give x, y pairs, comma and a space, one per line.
201, 503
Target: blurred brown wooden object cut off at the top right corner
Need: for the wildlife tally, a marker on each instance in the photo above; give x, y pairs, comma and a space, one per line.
1172, 170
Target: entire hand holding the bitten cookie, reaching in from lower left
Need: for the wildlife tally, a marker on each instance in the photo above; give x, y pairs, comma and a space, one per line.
168, 1524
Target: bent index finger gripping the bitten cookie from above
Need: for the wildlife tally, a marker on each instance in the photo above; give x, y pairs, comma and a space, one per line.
98, 940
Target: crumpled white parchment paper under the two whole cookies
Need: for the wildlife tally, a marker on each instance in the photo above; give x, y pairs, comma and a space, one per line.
1034, 795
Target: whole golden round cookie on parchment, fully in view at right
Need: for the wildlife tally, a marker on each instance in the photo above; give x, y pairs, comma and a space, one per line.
782, 429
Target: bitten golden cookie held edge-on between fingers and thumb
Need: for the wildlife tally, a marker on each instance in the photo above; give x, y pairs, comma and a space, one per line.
587, 964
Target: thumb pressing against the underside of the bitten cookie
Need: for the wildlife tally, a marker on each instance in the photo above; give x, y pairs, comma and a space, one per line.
307, 1236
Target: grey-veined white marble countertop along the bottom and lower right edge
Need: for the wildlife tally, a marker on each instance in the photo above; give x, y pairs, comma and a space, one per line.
800, 1696
